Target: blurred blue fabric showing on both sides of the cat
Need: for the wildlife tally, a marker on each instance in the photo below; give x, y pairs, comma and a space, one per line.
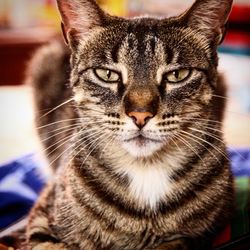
20, 184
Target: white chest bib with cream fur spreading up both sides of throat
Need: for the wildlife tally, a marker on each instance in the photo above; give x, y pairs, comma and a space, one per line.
149, 182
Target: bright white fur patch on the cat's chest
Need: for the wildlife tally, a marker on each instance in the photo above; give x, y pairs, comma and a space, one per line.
150, 183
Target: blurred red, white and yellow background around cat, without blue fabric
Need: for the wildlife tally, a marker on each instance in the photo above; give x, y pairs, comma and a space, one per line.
27, 24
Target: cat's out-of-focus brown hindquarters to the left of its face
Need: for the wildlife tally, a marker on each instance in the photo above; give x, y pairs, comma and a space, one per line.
49, 74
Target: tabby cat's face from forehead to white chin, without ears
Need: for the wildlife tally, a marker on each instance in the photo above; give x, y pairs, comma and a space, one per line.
143, 80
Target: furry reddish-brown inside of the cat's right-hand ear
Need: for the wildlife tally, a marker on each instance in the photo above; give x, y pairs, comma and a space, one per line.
209, 17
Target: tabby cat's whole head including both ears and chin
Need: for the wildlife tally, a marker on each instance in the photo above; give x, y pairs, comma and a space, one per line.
142, 83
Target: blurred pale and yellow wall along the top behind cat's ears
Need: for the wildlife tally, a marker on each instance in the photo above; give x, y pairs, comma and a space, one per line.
28, 13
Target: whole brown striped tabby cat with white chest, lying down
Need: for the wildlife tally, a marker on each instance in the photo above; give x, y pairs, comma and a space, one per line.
136, 137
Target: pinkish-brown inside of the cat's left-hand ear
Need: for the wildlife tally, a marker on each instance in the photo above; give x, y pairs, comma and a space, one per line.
79, 17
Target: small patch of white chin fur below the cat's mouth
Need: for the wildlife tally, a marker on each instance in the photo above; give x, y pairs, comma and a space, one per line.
145, 149
